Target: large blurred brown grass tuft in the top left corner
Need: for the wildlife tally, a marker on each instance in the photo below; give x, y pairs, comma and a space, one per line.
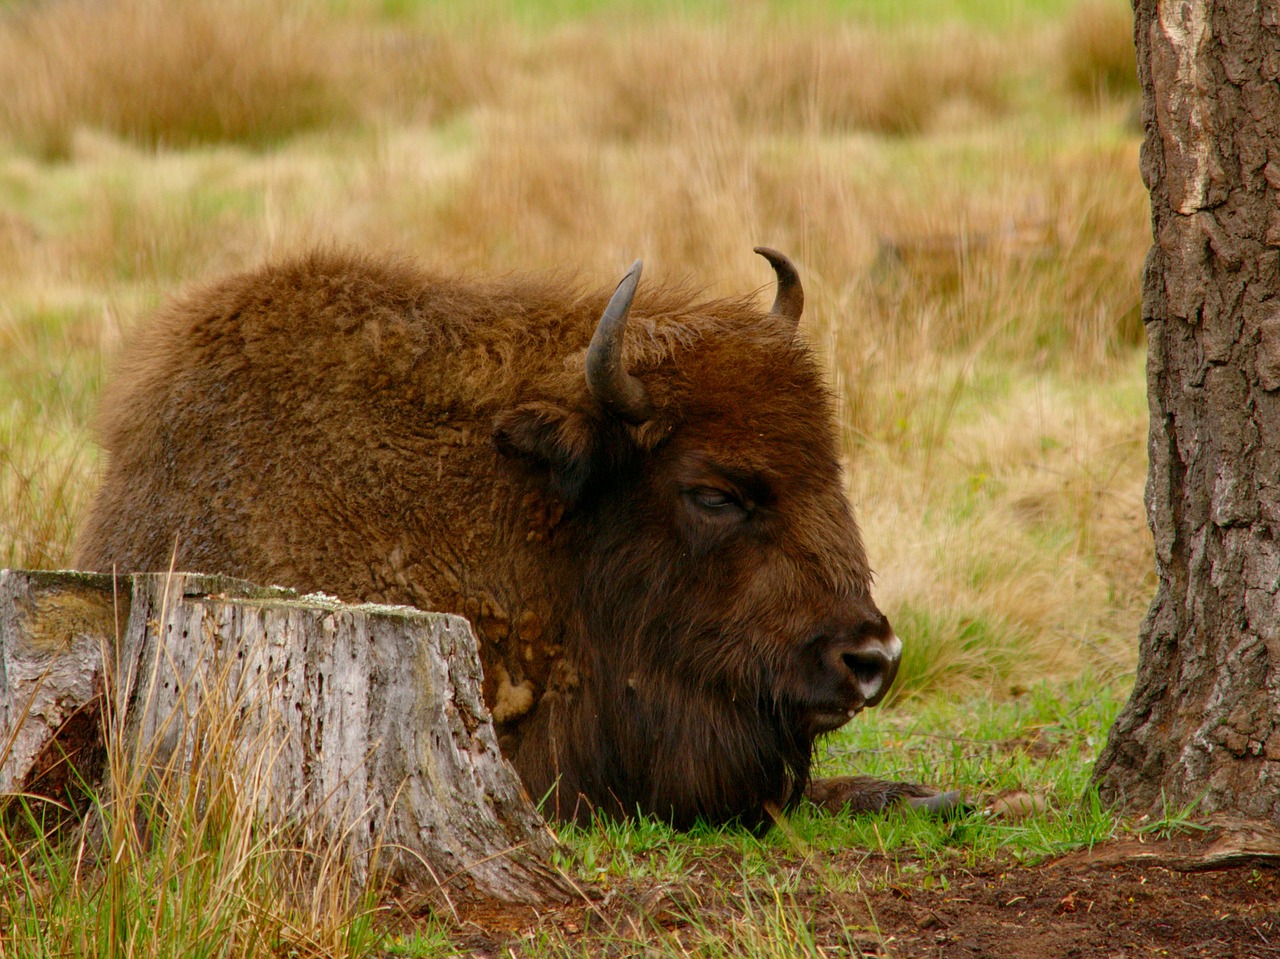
166, 74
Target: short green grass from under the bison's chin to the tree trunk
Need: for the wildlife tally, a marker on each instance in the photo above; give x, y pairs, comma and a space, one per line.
1043, 742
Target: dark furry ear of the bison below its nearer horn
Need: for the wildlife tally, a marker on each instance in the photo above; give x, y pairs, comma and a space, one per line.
550, 437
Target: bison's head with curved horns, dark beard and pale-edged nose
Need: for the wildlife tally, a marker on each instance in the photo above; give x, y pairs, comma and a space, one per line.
716, 587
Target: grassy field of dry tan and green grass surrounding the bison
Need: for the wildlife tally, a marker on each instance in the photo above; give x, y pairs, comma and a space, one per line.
958, 184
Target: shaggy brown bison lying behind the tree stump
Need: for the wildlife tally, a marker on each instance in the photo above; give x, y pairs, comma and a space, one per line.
636, 499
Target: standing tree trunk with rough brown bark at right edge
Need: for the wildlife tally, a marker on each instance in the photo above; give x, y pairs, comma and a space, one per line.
1204, 723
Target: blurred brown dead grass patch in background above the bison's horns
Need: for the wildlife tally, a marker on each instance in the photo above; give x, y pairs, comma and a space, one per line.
778, 79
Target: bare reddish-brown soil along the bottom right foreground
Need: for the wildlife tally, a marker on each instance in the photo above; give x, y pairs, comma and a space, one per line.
1117, 902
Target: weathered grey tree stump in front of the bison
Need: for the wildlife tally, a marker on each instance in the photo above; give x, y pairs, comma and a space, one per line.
359, 725
